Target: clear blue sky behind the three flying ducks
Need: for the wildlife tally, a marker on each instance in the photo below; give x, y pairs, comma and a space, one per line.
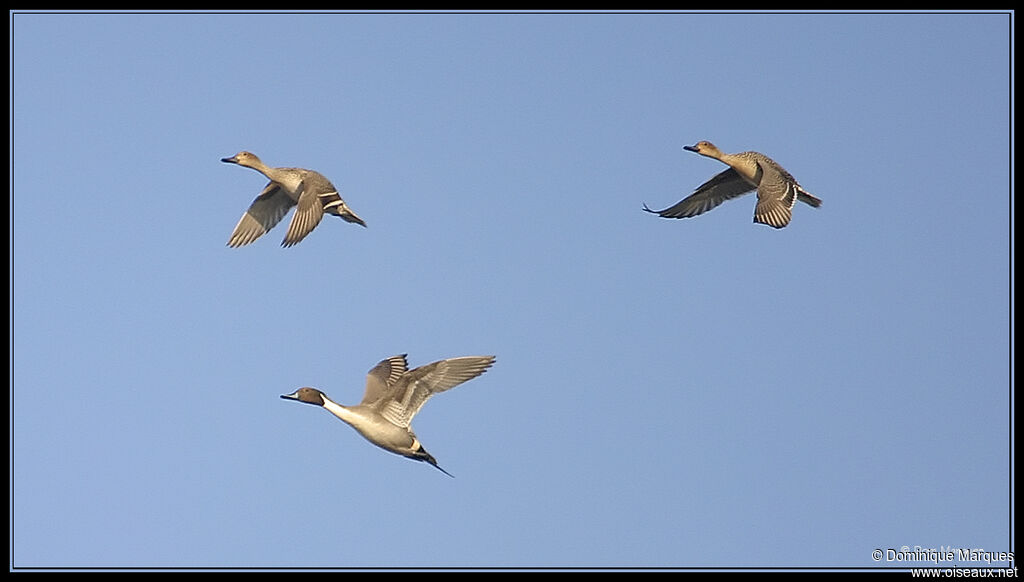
700, 393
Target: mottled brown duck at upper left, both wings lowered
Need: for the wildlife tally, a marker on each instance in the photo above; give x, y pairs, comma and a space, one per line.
314, 194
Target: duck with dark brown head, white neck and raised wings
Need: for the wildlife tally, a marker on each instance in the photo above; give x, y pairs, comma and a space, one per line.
395, 394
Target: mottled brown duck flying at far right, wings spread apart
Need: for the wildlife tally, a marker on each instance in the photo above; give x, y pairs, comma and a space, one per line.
778, 191
